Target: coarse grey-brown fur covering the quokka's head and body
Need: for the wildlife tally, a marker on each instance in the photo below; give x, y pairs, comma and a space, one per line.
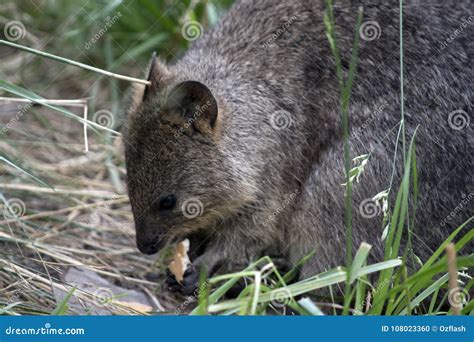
277, 191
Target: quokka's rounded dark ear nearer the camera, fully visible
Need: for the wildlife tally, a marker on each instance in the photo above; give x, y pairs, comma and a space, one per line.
195, 103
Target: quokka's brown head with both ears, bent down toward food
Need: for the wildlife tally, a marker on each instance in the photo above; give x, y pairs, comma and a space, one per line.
179, 179
